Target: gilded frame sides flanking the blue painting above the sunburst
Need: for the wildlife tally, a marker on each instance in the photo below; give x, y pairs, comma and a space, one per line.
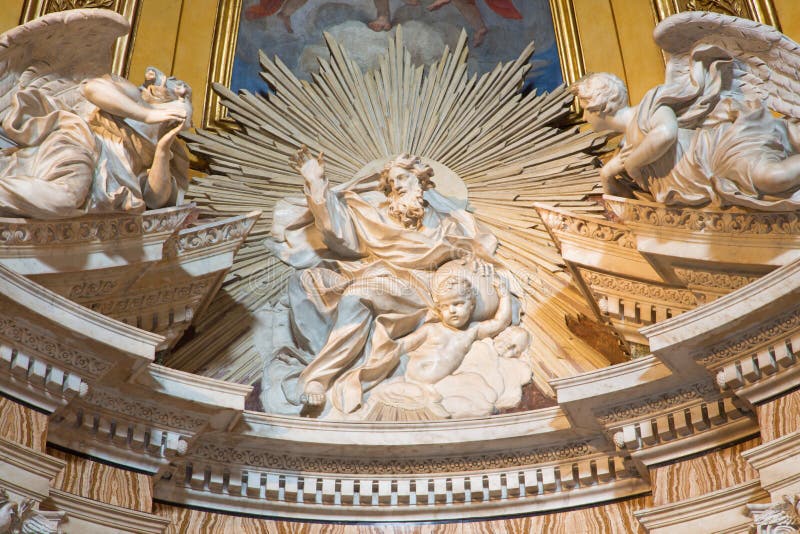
226, 35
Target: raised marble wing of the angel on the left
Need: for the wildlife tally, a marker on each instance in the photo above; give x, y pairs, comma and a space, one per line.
57, 51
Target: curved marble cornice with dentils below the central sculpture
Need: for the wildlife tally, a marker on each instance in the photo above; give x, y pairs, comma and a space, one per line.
206, 450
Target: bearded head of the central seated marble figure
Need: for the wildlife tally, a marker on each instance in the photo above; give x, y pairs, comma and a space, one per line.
403, 181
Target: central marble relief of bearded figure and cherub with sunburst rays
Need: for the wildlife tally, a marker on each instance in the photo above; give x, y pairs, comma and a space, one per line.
377, 287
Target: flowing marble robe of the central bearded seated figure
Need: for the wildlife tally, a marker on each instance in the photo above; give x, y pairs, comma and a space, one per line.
365, 278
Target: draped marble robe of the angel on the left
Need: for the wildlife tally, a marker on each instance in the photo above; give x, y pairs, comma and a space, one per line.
71, 158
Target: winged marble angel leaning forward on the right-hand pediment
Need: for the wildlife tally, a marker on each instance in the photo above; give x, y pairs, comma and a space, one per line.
708, 135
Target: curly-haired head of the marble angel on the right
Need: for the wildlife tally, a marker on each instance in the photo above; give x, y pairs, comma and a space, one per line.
601, 95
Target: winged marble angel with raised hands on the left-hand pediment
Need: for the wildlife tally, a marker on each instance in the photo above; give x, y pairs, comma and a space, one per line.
77, 139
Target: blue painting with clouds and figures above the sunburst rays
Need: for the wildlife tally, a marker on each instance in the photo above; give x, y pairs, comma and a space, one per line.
293, 30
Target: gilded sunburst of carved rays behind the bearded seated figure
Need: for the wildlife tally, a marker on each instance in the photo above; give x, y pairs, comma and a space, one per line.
507, 147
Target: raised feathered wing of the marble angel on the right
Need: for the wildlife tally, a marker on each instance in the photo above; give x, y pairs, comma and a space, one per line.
768, 62
